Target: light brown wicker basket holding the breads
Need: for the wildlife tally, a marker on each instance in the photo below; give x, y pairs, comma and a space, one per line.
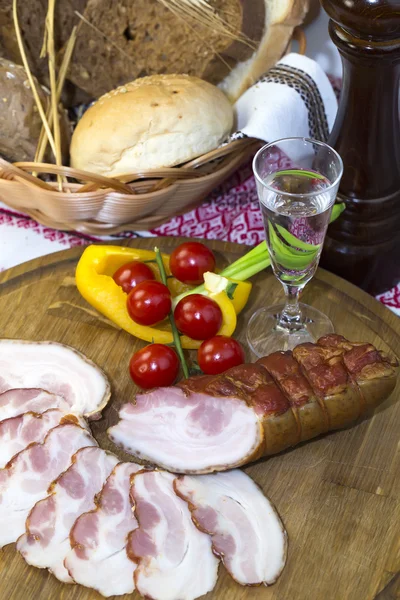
98, 205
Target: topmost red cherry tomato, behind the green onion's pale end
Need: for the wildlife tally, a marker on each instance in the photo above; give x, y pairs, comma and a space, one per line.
189, 261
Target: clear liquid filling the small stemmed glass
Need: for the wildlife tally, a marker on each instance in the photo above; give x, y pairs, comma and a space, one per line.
295, 226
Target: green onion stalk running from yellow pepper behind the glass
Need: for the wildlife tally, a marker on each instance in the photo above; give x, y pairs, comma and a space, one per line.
258, 259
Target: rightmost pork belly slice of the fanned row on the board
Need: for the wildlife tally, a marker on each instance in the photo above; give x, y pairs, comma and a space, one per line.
247, 533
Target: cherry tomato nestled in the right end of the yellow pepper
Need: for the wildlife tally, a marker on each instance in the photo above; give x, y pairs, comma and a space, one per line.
198, 317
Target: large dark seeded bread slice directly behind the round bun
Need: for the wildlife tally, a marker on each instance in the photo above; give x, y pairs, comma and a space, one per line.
143, 37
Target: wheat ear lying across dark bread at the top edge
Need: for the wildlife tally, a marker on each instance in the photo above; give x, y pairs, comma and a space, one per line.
202, 12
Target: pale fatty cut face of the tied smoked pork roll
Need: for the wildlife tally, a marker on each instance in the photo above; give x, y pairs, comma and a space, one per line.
189, 432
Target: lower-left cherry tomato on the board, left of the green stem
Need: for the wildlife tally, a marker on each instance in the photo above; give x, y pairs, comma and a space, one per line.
154, 366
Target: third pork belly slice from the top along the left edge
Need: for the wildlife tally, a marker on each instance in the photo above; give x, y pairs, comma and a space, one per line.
18, 432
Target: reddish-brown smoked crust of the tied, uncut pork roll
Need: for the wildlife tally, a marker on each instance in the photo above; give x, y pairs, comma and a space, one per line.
301, 394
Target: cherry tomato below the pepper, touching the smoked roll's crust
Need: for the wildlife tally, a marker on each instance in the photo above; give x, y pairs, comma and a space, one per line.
219, 354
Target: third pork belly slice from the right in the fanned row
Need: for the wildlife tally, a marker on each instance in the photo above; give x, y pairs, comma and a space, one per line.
98, 558
